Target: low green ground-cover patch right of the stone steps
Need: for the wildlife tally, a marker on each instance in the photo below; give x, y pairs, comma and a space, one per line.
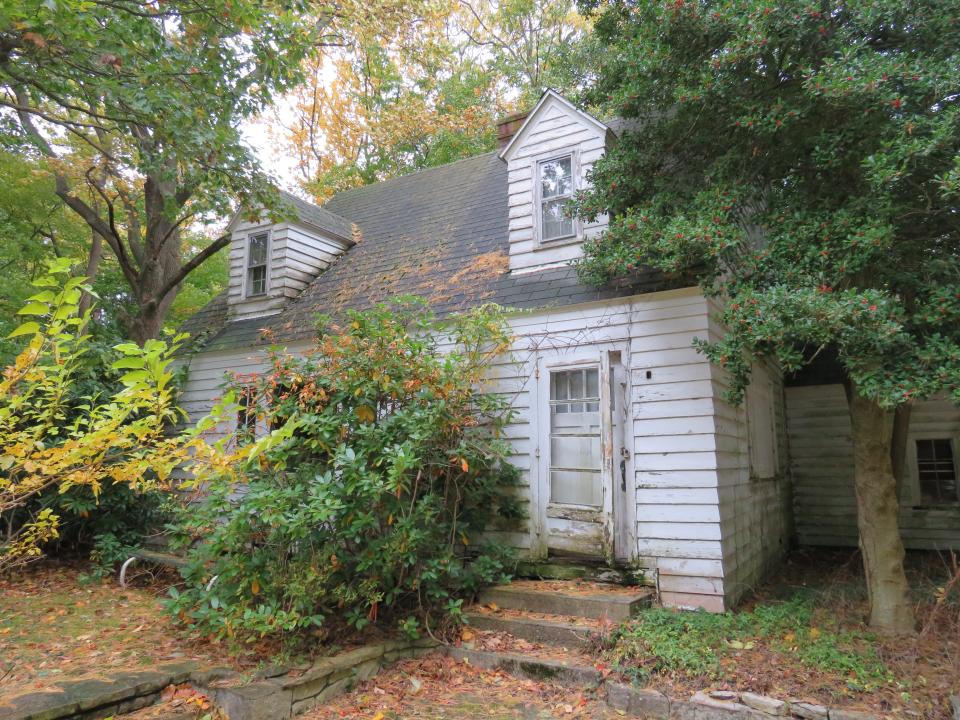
697, 644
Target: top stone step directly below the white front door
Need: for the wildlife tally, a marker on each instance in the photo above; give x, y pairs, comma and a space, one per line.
590, 600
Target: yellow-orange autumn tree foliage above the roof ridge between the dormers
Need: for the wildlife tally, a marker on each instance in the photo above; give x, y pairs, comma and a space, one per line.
423, 86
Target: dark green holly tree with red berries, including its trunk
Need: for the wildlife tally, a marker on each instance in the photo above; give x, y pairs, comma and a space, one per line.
802, 159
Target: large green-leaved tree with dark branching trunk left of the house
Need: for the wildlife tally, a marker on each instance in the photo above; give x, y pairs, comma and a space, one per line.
136, 109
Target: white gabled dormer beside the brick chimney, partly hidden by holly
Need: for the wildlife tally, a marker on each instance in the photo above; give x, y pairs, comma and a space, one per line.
549, 157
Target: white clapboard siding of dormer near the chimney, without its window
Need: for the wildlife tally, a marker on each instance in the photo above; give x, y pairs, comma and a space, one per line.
553, 126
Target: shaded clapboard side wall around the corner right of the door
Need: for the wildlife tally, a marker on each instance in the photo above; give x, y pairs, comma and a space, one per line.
755, 512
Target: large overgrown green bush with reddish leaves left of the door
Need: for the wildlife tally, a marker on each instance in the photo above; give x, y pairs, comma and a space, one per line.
367, 512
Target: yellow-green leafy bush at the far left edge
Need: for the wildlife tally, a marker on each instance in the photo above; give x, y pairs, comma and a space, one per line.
54, 440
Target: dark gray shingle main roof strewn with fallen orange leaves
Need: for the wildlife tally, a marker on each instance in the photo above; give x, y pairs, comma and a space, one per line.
441, 234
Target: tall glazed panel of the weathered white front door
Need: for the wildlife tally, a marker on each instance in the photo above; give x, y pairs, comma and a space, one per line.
575, 437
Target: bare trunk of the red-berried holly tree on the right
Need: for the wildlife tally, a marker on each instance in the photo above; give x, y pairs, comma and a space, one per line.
878, 516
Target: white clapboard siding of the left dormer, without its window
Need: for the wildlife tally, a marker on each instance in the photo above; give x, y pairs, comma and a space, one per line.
297, 255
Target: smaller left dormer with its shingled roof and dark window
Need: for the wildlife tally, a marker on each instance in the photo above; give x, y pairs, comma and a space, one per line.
272, 262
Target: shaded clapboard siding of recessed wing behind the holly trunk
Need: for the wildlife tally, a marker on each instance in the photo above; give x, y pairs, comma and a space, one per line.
822, 468
